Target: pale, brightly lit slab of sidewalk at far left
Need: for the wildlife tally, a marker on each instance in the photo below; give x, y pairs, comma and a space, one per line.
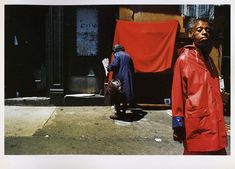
25, 120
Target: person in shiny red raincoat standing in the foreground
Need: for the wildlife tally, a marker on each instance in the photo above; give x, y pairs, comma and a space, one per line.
197, 107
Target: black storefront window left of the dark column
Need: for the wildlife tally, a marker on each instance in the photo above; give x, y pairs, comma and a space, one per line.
25, 53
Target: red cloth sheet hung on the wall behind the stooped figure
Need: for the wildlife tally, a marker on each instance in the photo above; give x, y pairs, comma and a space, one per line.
150, 44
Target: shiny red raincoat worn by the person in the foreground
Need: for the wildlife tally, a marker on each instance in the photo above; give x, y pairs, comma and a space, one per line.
197, 100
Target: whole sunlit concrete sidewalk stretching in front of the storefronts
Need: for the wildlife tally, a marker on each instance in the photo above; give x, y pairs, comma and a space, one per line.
89, 130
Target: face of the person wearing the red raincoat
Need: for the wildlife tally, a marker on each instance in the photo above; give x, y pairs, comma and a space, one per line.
201, 33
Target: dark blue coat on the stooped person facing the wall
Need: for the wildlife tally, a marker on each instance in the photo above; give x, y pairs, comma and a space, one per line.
123, 69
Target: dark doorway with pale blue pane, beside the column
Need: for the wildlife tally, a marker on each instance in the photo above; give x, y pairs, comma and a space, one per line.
89, 32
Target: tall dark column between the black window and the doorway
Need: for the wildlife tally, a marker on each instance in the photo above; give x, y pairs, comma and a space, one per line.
55, 55
